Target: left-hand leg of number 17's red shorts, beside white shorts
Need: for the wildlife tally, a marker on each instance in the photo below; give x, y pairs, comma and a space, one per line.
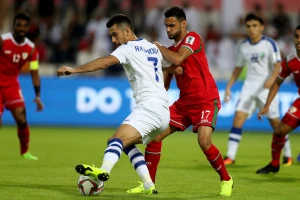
179, 117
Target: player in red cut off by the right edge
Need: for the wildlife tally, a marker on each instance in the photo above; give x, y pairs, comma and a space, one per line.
290, 121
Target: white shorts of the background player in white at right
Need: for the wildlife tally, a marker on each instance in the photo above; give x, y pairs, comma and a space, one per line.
249, 103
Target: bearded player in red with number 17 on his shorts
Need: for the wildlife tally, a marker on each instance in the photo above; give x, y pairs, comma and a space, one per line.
199, 102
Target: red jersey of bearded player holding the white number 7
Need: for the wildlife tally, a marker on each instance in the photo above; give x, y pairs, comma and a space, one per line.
196, 84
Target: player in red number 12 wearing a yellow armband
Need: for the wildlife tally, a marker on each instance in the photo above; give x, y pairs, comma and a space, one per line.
15, 51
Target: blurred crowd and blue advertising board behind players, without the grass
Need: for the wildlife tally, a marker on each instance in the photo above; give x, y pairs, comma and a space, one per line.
71, 33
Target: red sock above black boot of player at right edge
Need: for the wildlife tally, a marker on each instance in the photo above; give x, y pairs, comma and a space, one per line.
277, 145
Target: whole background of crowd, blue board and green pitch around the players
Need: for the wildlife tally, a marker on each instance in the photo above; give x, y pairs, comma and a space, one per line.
70, 33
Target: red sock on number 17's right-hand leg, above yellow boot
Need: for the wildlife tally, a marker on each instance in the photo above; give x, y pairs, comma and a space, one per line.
214, 156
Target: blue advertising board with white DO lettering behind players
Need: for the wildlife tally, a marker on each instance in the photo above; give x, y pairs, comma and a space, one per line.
105, 102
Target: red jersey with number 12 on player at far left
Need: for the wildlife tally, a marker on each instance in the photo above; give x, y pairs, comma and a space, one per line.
13, 56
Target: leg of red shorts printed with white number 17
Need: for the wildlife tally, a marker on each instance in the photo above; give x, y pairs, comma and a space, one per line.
204, 114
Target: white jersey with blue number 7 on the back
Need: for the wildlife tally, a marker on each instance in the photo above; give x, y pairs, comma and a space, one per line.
142, 62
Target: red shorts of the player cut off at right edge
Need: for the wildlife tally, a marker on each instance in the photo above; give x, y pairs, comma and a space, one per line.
292, 117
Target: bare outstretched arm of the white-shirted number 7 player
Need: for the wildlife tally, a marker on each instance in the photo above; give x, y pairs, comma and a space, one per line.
95, 65
